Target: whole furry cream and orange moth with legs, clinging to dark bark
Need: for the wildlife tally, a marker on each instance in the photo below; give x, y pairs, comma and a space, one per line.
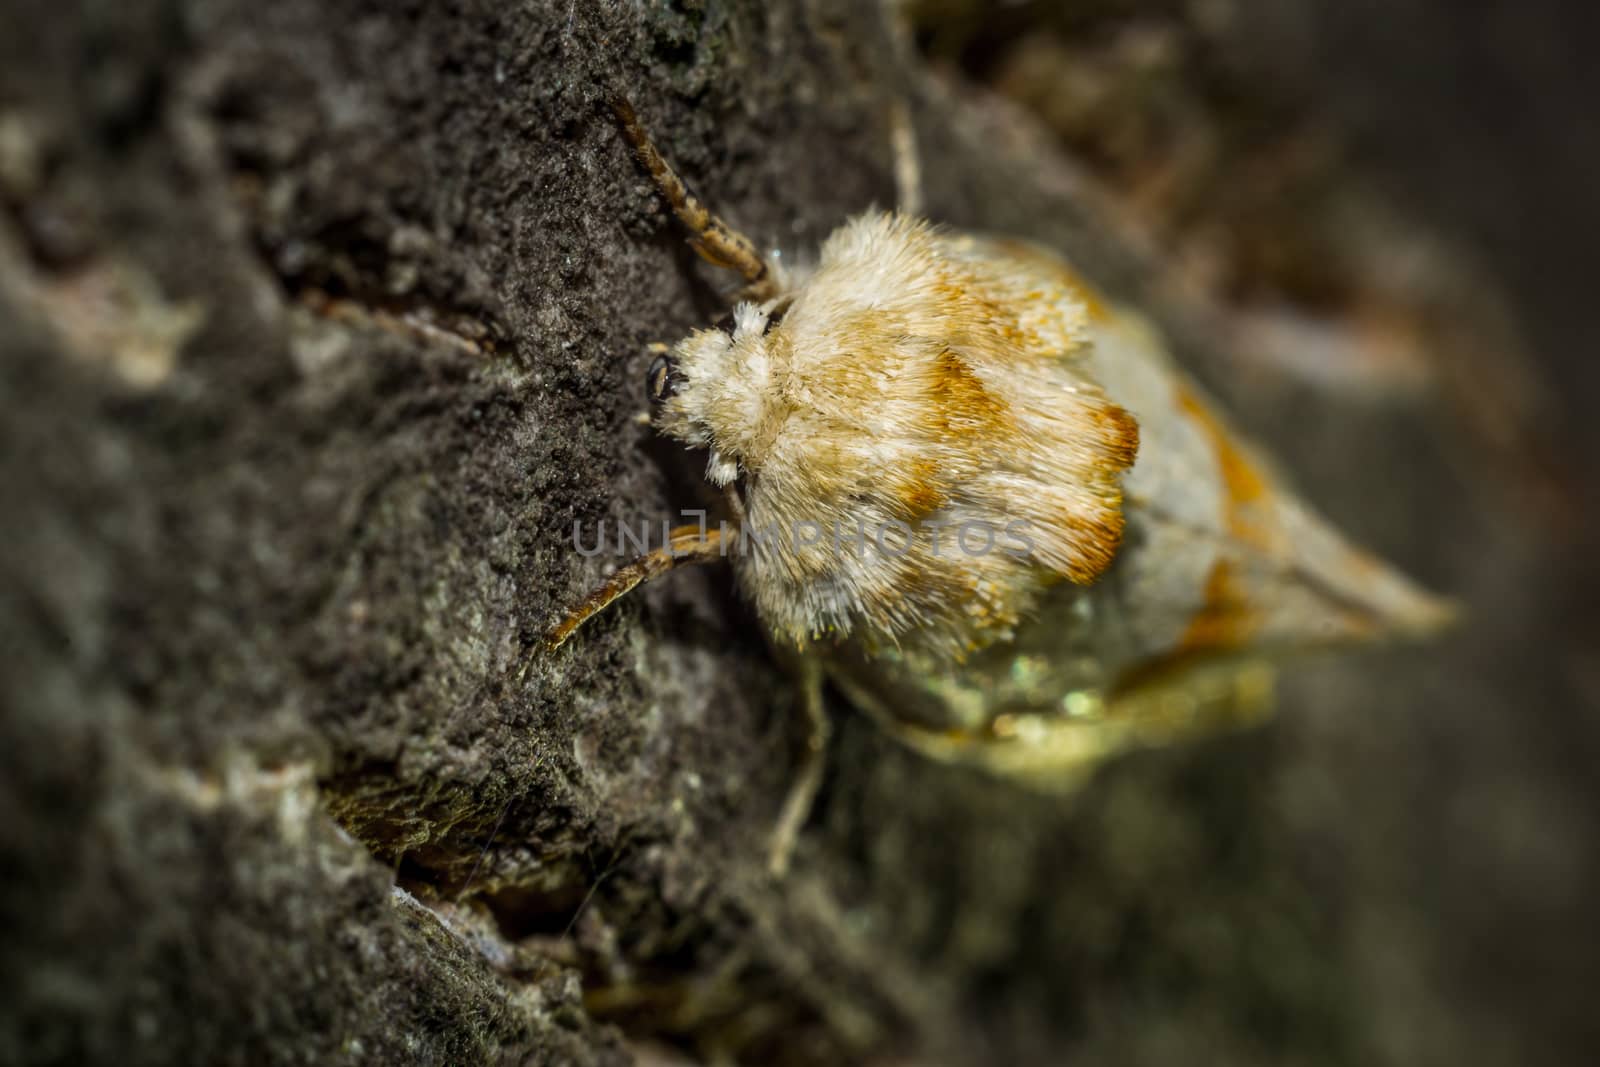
986, 505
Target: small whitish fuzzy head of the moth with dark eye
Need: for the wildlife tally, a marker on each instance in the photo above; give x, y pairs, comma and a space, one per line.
714, 388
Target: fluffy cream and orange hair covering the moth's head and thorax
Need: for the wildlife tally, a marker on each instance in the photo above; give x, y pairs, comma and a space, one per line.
913, 380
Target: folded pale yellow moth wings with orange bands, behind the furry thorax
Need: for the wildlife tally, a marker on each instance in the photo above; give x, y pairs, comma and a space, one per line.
1223, 570
